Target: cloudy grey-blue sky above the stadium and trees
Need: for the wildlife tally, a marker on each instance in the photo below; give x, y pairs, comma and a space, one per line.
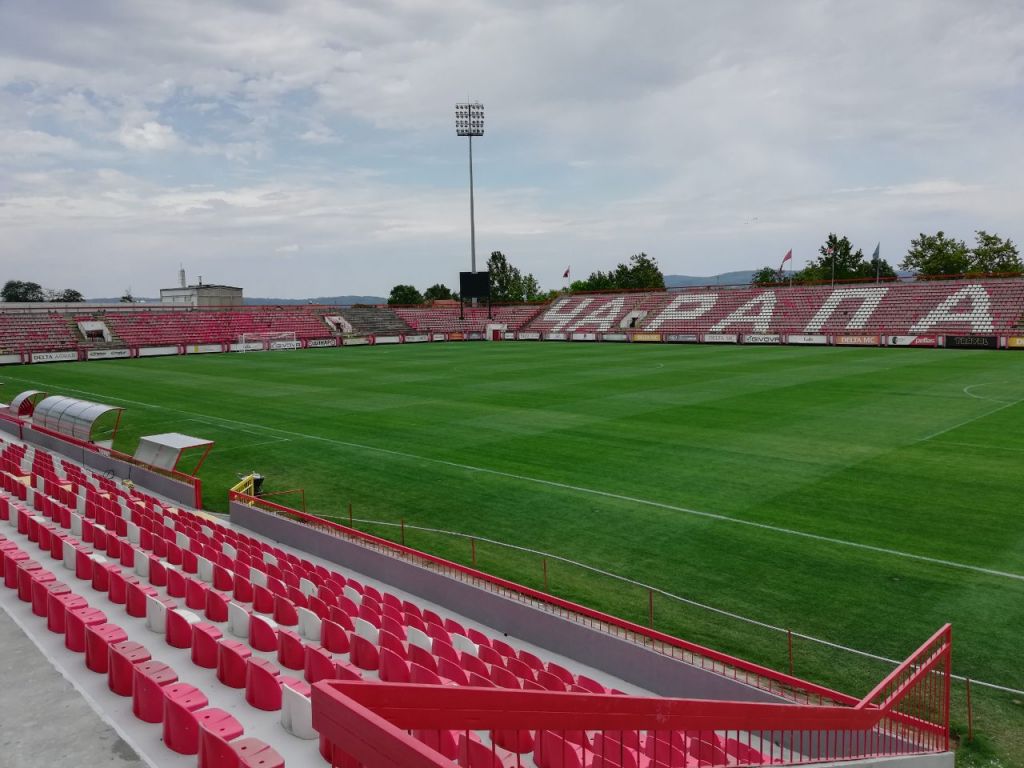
307, 148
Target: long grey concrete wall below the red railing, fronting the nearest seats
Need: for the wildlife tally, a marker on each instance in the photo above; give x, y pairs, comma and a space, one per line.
623, 659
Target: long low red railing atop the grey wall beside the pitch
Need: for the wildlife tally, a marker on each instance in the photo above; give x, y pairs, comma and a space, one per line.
779, 684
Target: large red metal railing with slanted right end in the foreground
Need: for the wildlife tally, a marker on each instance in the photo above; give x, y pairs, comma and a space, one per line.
388, 726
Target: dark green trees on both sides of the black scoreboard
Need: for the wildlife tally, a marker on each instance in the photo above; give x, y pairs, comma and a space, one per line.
510, 285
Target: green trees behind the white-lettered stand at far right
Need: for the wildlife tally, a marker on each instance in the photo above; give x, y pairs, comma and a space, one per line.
930, 257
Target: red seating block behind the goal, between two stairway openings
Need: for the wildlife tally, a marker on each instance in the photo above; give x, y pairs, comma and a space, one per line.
209, 327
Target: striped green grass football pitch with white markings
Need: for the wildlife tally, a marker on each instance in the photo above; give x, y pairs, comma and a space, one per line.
912, 451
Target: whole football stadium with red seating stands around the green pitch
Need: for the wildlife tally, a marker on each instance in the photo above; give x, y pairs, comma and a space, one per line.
249, 639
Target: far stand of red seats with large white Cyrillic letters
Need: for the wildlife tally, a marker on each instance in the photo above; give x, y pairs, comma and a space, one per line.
937, 308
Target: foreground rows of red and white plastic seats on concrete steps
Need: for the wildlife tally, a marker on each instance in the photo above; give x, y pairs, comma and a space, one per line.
188, 616
